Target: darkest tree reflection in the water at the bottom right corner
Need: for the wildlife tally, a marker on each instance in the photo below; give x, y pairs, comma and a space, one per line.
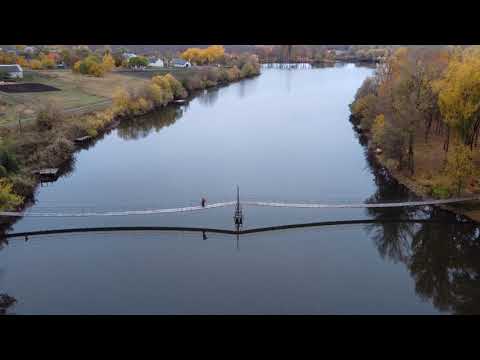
445, 263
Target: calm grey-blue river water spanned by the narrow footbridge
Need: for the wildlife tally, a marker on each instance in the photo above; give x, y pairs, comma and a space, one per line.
282, 136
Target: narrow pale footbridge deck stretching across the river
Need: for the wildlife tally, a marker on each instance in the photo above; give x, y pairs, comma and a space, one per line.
244, 203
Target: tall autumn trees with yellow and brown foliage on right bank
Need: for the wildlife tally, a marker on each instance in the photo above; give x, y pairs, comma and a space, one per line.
420, 114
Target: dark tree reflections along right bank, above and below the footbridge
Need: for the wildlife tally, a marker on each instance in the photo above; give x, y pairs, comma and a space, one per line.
443, 257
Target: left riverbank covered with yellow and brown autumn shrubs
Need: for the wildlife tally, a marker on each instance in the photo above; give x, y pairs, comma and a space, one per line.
49, 141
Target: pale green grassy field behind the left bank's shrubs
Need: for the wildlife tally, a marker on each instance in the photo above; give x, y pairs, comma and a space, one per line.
78, 93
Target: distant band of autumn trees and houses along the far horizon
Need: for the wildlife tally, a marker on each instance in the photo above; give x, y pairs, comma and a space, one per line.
98, 59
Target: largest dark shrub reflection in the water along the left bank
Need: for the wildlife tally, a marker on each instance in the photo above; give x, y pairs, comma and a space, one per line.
140, 127
